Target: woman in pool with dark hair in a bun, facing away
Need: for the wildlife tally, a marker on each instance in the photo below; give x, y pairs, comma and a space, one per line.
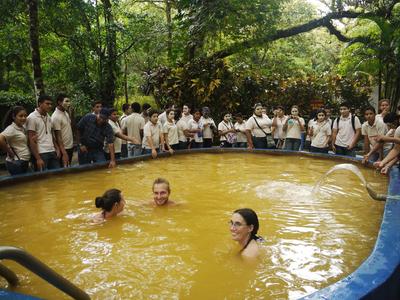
112, 204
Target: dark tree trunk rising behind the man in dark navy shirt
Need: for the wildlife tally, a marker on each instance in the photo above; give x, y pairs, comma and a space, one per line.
110, 67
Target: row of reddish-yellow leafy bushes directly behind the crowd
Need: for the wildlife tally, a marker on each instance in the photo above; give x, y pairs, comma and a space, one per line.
216, 85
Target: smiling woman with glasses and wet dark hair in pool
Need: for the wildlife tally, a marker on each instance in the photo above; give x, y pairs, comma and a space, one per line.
244, 227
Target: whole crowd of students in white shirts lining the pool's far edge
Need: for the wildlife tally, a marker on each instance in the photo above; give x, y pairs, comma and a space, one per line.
39, 141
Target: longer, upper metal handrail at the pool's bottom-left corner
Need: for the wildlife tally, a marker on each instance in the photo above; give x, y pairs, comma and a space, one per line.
39, 268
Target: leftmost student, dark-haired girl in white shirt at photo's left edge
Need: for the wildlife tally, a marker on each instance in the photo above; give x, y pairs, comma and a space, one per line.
14, 142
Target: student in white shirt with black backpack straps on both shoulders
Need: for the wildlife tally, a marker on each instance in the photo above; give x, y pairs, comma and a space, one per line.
346, 132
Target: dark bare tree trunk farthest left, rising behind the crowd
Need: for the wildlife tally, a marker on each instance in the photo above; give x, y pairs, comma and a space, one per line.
35, 49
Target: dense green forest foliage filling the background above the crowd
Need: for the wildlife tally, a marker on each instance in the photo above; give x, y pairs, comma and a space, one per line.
76, 59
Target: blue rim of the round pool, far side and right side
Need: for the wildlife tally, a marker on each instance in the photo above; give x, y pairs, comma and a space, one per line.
376, 278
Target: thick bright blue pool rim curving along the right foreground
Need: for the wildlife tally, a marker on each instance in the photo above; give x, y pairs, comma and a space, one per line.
378, 276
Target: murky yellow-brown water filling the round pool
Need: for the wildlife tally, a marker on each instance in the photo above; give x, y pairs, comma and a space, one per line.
185, 251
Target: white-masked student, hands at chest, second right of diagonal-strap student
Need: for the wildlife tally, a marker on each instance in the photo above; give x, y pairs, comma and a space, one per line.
293, 127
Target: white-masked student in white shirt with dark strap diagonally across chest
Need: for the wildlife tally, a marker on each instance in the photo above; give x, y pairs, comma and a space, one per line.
258, 127
